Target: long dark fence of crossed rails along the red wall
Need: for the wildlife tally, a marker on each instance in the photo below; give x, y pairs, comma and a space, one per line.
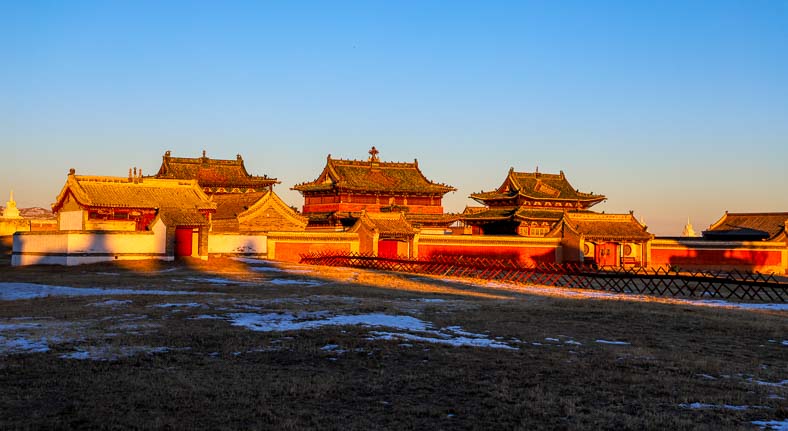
738, 285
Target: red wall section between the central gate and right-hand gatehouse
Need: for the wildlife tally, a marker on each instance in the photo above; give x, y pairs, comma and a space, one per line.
525, 255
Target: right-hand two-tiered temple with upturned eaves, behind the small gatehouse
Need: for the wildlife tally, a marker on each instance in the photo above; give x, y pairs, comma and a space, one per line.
526, 204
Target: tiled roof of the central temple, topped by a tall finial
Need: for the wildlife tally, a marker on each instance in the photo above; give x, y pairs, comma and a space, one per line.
373, 176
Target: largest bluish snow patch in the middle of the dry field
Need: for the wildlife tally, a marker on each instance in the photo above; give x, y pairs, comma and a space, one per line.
280, 322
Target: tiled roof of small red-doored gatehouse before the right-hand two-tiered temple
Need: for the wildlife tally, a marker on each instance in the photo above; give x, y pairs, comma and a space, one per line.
607, 226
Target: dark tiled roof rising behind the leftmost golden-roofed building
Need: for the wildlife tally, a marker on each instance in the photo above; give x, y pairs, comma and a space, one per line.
213, 173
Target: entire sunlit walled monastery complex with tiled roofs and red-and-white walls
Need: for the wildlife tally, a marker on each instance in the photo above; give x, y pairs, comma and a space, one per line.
199, 207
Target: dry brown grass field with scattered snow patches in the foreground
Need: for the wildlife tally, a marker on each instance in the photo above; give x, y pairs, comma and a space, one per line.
230, 344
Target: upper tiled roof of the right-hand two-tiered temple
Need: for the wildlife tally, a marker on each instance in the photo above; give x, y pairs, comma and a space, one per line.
536, 185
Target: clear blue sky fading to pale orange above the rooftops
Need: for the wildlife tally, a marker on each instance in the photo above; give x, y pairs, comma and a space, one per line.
671, 109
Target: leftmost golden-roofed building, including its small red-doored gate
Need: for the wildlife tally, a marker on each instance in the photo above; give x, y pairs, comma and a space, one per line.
135, 204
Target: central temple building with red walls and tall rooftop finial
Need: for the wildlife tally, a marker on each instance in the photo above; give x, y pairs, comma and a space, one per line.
346, 188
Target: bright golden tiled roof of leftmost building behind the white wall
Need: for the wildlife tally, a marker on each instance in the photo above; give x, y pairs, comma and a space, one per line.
147, 193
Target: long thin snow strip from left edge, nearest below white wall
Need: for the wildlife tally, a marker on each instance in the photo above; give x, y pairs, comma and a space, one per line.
17, 291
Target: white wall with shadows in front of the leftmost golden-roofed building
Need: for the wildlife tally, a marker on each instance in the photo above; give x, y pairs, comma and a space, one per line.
78, 247
